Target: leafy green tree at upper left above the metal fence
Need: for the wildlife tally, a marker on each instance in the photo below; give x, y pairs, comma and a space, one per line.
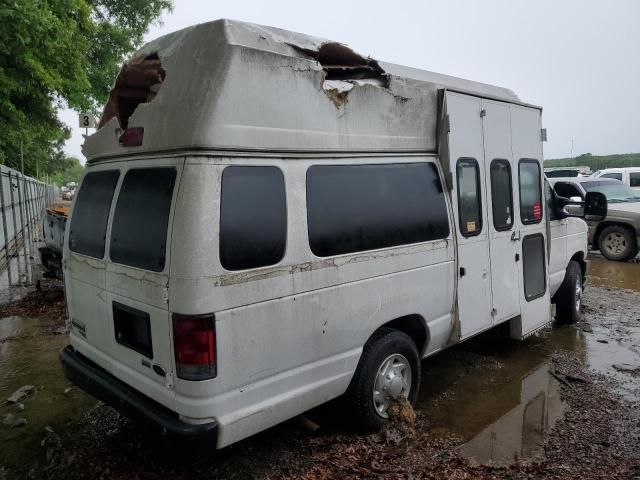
55, 53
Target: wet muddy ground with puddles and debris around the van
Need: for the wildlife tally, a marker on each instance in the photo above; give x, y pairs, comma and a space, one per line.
565, 404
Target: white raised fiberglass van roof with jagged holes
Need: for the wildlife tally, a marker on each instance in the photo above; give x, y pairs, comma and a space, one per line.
228, 85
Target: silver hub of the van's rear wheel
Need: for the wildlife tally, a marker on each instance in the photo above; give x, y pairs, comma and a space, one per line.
393, 381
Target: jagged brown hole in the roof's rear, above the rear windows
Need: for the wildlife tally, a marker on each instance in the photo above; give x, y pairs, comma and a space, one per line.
138, 82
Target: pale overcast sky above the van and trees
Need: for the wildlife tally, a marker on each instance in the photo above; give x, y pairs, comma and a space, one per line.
579, 59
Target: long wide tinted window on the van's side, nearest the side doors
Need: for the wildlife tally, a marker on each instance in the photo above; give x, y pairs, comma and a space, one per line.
353, 208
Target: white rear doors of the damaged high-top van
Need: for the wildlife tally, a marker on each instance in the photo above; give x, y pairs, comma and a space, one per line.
121, 299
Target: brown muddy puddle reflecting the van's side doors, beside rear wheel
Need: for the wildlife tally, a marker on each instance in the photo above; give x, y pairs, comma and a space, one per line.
496, 394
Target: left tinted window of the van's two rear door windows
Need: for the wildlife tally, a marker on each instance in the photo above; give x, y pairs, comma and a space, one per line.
88, 227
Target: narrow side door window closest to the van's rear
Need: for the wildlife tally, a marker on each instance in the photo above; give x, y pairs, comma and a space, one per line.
469, 200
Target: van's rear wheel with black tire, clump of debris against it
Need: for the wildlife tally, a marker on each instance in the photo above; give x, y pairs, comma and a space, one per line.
390, 349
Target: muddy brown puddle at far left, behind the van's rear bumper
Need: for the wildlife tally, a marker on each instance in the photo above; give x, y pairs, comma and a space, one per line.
29, 358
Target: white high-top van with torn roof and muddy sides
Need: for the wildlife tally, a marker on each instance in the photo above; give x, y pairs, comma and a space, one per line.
269, 221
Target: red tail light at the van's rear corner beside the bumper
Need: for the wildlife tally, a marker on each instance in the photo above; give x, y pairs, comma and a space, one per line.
194, 343
